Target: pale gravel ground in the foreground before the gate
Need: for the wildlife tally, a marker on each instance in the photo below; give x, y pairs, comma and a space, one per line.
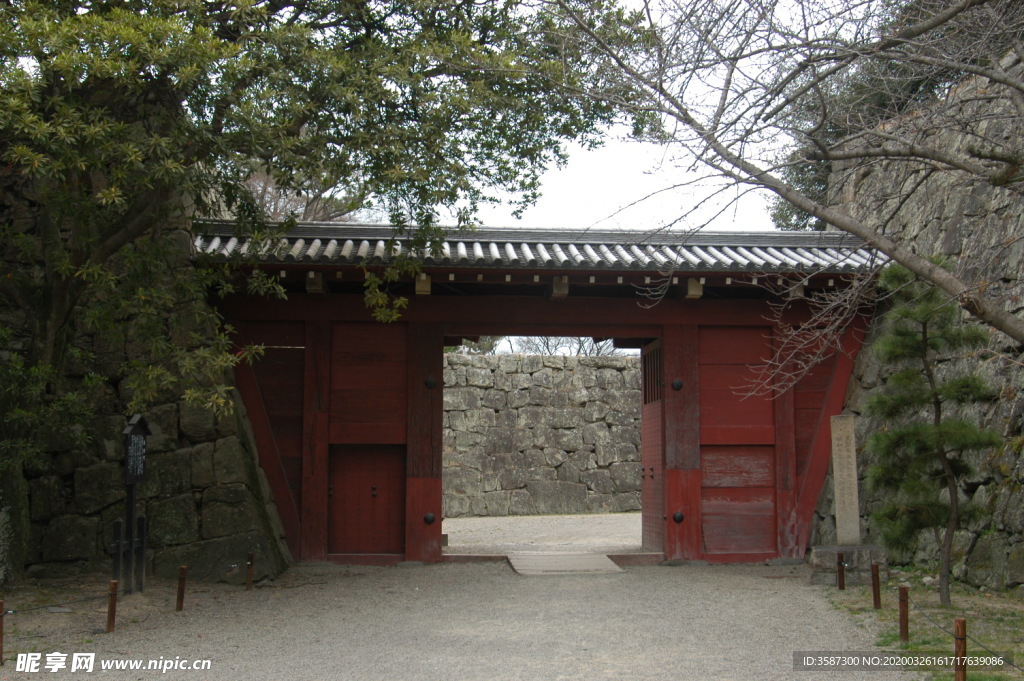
467, 622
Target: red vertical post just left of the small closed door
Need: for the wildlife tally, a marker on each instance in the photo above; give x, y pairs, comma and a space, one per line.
316, 466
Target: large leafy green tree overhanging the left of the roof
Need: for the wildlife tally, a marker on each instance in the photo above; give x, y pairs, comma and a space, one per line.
124, 121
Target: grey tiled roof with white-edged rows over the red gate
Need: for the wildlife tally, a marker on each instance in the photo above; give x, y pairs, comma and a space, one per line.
343, 244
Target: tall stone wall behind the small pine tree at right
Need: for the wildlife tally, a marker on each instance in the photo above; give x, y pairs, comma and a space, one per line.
980, 228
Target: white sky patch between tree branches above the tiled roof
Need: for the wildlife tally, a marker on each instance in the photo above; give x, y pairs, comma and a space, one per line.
596, 188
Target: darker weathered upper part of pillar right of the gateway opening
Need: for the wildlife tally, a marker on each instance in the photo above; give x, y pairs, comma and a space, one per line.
682, 409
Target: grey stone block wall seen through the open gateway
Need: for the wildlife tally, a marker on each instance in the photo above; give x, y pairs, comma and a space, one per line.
534, 436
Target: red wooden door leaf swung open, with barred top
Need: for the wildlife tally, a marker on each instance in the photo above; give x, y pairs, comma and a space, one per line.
653, 449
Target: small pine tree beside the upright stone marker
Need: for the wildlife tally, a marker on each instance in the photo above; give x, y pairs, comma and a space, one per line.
920, 449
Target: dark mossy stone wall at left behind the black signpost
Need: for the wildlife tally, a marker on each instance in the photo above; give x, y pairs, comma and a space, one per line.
206, 502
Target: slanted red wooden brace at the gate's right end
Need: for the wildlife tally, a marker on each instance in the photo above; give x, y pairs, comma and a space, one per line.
814, 480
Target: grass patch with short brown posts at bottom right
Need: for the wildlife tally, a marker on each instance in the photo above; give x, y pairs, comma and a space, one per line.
995, 620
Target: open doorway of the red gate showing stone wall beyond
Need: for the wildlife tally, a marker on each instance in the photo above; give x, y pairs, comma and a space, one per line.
542, 448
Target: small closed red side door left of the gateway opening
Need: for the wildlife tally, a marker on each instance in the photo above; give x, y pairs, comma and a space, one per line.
367, 499
